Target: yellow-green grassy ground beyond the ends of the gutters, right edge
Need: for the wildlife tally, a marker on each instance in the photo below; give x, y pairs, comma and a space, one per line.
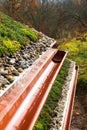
78, 52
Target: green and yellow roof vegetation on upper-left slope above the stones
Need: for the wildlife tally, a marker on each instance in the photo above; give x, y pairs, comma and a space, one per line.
14, 35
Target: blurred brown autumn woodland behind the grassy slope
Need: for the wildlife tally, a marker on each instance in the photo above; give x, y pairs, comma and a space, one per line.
56, 18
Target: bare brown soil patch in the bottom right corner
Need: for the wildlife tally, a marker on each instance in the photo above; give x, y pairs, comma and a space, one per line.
79, 117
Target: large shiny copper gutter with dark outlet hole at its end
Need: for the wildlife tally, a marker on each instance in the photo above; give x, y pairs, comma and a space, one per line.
20, 106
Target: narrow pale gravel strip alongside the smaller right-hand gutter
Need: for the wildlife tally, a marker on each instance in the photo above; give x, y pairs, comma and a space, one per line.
59, 110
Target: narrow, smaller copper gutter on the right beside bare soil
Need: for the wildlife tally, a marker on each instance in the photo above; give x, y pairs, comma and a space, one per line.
70, 102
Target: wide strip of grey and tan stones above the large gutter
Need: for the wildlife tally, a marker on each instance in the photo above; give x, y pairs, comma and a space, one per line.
12, 66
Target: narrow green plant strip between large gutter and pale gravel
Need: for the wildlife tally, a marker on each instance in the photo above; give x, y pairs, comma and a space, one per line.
48, 110
